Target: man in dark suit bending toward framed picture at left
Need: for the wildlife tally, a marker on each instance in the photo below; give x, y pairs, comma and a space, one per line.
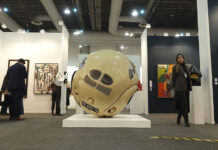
16, 85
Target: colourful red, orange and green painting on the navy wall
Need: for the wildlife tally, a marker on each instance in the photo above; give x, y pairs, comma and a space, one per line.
164, 72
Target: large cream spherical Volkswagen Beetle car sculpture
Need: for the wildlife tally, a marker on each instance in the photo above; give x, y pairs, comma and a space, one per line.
105, 82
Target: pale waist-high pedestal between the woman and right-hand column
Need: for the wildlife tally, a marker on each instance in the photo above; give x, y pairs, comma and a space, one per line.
196, 115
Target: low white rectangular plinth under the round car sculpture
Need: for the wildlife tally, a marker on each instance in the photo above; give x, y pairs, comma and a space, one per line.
117, 121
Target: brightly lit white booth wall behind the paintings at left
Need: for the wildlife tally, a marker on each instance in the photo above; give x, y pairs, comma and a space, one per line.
37, 48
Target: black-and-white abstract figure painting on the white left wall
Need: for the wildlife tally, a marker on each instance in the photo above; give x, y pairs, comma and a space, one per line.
44, 76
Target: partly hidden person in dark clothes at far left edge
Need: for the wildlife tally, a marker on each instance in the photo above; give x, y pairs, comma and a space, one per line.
7, 96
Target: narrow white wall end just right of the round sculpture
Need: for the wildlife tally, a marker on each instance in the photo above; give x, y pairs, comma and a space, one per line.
144, 64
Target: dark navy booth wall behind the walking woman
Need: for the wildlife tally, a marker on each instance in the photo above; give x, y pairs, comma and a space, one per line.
163, 50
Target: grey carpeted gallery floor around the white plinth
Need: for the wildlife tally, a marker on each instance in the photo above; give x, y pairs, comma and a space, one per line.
45, 132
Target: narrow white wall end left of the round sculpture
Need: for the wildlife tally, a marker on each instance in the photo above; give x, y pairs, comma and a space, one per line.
63, 66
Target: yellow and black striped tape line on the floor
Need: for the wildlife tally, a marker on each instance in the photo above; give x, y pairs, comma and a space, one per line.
186, 139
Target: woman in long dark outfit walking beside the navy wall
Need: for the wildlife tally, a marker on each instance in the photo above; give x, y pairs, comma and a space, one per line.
182, 85
